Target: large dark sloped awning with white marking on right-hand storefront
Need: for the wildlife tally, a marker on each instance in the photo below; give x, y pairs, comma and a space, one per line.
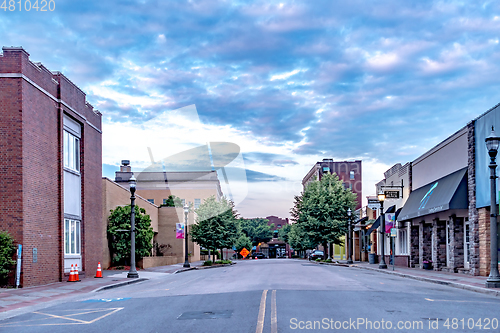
449, 192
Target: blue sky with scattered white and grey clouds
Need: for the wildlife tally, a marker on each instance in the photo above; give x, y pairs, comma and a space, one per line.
288, 82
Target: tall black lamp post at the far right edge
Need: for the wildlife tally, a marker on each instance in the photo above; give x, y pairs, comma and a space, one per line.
492, 143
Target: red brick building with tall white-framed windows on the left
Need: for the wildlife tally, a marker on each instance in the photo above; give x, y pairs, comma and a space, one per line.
50, 157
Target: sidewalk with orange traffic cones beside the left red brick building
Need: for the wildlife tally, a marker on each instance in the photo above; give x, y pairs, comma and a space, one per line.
22, 300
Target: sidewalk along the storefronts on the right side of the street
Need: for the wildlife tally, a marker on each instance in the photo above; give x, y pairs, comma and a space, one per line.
461, 281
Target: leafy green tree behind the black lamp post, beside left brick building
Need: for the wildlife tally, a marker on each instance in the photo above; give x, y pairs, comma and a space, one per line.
120, 240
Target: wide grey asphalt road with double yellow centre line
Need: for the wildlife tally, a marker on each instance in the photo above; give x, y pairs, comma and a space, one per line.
275, 295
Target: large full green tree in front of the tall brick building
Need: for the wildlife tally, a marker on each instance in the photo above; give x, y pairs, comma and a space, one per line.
320, 212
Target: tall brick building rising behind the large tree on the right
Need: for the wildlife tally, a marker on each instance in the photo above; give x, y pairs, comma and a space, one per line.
349, 172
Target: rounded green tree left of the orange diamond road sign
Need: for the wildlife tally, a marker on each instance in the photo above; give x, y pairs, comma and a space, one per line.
216, 227
